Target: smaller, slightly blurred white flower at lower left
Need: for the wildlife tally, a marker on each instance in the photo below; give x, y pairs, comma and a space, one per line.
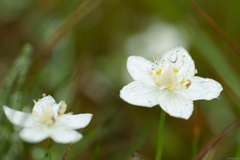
48, 120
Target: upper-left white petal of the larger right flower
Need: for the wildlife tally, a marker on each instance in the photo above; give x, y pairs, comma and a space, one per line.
138, 67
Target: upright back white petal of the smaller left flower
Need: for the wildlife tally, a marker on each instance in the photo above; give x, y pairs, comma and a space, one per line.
42, 103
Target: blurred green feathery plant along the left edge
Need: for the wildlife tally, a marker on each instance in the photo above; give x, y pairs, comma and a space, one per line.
11, 94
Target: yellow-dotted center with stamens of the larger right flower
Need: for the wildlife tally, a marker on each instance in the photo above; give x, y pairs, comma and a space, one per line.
166, 73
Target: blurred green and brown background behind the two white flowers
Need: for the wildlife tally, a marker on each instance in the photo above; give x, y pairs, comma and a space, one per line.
87, 69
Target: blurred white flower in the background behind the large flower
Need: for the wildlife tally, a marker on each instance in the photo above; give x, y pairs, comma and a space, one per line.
157, 38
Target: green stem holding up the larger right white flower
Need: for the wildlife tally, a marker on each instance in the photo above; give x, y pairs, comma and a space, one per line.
160, 136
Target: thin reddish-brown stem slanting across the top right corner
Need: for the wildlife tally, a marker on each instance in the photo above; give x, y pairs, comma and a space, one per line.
234, 46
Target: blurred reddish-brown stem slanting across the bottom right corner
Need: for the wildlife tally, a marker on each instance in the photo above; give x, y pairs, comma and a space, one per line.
233, 126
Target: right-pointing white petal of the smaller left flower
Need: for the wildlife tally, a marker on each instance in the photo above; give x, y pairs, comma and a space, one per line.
75, 121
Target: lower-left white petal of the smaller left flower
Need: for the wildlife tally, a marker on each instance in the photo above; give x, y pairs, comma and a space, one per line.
35, 134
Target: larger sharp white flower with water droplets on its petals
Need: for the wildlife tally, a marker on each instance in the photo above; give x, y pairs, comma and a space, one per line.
169, 82
